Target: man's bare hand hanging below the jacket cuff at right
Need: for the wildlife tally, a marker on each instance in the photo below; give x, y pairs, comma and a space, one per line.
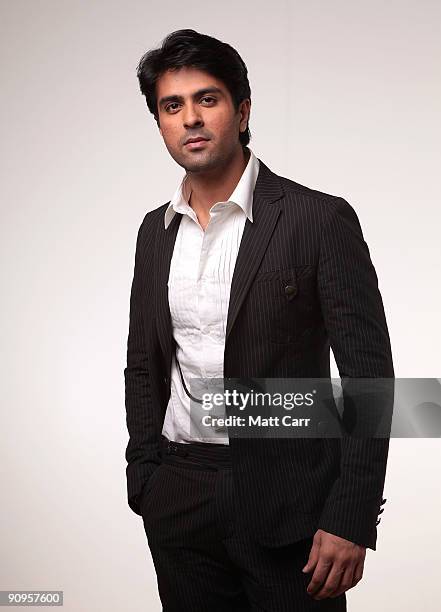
338, 565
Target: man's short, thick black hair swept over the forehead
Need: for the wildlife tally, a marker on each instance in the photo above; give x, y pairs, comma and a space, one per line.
190, 48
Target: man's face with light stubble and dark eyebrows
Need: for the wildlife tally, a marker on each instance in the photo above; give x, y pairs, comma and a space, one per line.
193, 103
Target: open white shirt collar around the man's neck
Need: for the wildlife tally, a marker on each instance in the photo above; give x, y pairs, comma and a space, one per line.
242, 194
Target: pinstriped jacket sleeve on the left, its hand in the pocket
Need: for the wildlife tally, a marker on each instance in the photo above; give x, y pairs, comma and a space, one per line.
142, 452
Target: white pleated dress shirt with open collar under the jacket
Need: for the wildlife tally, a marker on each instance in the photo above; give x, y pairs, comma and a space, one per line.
199, 285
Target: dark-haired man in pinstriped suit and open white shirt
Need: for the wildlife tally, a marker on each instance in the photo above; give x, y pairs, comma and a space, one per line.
245, 274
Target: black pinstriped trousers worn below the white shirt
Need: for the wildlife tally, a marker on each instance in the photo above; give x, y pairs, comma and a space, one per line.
203, 561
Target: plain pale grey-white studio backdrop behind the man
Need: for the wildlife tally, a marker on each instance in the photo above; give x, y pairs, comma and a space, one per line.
345, 99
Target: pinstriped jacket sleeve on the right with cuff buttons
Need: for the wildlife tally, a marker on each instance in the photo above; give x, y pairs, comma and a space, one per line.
354, 317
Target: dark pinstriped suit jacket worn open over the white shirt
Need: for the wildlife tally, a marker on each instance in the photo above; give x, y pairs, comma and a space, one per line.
285, 488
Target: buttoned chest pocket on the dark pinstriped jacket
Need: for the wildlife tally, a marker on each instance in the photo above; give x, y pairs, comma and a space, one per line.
286, 302
